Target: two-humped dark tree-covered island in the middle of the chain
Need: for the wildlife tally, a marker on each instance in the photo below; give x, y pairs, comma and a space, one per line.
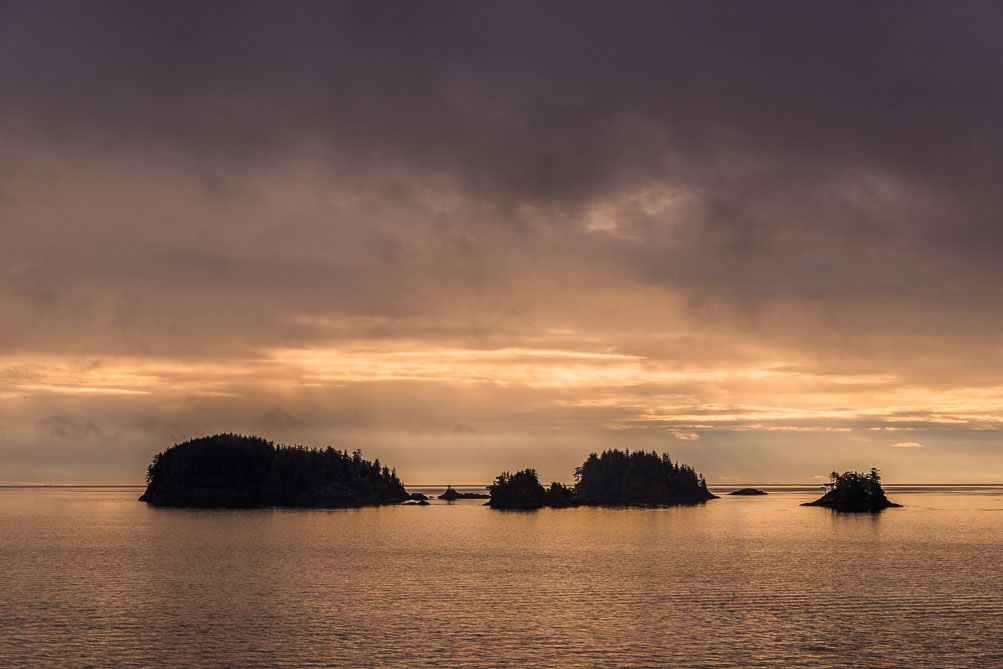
613, 479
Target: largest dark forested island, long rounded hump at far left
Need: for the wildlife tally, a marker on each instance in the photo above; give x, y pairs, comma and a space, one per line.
237, 471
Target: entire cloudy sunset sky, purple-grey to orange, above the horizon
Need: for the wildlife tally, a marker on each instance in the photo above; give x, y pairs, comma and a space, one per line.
467, 237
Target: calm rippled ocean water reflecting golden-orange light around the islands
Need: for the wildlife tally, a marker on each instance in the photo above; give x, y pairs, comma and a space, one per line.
93, 577
